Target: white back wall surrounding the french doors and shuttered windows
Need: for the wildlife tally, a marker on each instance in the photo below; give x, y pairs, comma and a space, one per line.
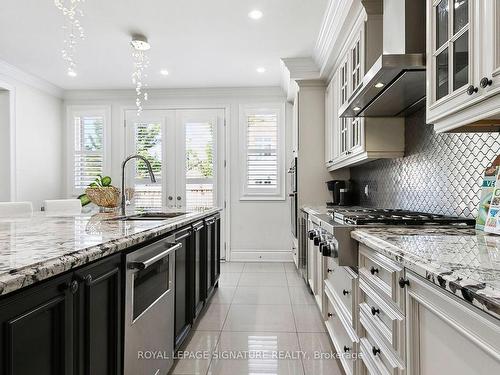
262, 226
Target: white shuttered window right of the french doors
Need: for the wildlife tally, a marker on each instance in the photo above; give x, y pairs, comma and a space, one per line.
261, 131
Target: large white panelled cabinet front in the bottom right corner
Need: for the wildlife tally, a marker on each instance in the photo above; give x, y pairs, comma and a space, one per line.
445, 335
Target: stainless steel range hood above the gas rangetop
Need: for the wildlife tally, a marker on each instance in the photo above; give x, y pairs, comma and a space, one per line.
395, 85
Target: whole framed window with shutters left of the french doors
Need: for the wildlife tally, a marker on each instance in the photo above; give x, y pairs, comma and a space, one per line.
87, 147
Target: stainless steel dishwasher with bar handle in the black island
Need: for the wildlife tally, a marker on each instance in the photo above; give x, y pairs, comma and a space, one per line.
149, 308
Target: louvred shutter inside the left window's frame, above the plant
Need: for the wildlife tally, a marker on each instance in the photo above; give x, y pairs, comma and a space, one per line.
88, 151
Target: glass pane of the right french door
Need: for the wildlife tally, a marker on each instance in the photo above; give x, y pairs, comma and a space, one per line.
199, 165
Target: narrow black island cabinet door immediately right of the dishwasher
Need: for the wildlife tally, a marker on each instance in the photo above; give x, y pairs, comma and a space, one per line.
184, 286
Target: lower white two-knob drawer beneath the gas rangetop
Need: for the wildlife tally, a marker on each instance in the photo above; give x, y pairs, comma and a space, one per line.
343, 336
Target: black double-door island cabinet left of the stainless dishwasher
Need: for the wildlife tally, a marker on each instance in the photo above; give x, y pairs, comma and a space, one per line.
70, 325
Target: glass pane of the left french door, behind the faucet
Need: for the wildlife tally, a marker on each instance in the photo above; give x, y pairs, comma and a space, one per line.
148, 143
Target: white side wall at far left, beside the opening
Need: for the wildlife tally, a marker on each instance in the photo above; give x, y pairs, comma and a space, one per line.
37, 136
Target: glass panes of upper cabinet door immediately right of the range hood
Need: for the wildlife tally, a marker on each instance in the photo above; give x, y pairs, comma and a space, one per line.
451, 52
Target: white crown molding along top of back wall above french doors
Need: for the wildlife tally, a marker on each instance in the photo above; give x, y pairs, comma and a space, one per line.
175, 93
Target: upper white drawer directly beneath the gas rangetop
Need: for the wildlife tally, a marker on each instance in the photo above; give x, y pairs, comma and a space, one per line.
343, 282
